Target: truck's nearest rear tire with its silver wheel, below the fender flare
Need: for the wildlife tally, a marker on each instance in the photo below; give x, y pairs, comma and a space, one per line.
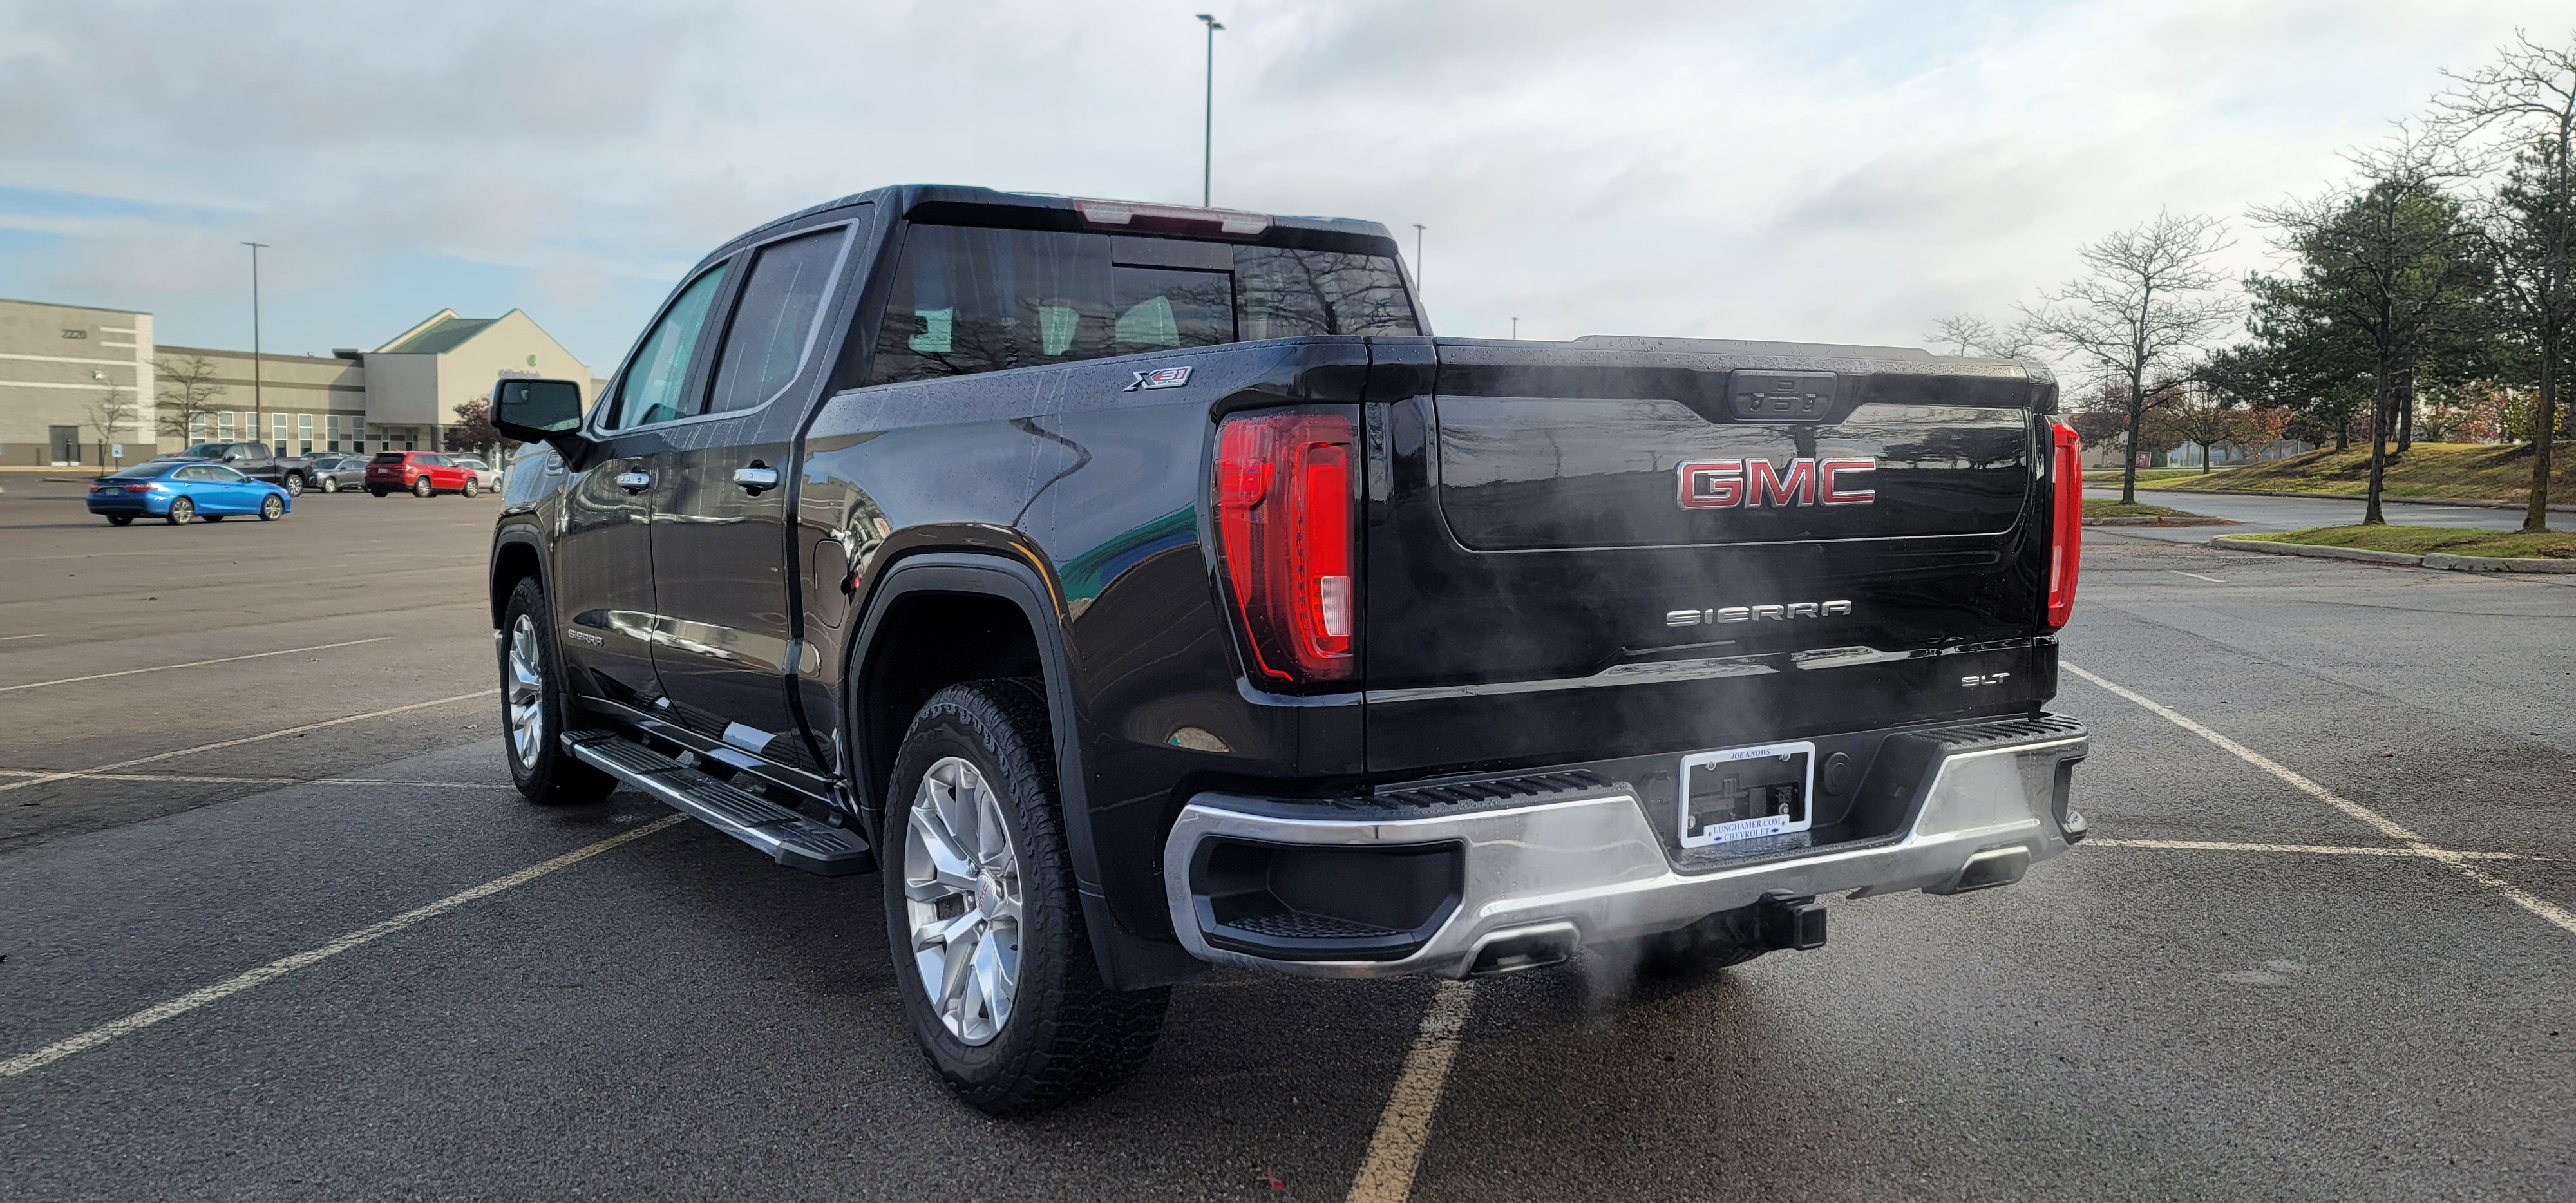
1014, 1014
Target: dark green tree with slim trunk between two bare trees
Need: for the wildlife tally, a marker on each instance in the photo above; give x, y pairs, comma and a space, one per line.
2392, 261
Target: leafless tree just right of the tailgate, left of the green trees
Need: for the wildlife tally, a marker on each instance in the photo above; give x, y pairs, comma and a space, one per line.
2142, 310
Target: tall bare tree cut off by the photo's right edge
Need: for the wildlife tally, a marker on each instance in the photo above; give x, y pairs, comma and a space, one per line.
2526, 102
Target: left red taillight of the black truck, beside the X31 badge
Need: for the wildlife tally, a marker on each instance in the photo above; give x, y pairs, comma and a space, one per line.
1284, 532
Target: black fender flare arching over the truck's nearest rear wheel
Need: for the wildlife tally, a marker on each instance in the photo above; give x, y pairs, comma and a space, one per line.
1014, 581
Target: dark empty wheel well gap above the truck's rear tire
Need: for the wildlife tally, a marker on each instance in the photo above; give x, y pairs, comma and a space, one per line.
923, 645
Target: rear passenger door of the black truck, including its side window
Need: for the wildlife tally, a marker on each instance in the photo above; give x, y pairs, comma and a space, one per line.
720, 535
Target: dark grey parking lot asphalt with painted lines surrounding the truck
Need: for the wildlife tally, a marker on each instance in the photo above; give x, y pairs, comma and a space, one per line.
2242, 988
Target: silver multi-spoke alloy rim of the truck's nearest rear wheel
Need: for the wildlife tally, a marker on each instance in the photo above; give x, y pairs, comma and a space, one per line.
962, 900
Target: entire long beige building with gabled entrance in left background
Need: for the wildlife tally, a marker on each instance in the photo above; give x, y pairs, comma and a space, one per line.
63, 370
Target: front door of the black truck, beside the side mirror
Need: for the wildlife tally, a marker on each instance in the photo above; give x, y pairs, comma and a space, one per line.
604, 594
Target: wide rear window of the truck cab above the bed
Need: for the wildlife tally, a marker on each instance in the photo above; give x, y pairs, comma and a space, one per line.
985, 300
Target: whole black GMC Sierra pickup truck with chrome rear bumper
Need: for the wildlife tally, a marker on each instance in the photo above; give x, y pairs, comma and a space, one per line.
1148, 589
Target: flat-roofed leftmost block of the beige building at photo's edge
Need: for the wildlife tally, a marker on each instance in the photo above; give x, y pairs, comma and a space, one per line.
76, 385
